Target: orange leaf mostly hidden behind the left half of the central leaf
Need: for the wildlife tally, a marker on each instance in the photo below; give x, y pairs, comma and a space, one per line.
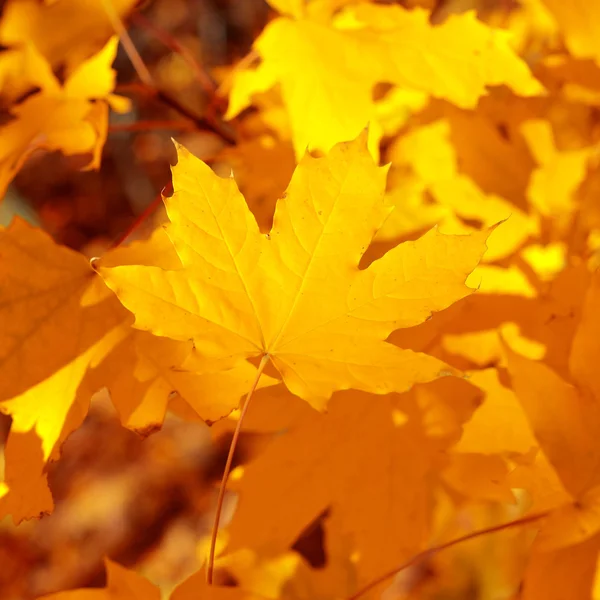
144, 371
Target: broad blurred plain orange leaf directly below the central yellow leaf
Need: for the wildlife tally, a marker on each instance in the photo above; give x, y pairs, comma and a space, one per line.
373, 462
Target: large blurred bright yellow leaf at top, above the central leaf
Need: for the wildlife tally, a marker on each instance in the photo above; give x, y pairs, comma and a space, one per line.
327, 73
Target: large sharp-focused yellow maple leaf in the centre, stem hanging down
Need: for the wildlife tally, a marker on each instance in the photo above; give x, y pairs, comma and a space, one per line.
296, 294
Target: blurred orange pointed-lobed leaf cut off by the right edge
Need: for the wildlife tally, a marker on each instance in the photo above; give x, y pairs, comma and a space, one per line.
565, 419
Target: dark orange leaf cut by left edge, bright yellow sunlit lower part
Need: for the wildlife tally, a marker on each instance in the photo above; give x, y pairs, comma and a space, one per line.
54, 324
